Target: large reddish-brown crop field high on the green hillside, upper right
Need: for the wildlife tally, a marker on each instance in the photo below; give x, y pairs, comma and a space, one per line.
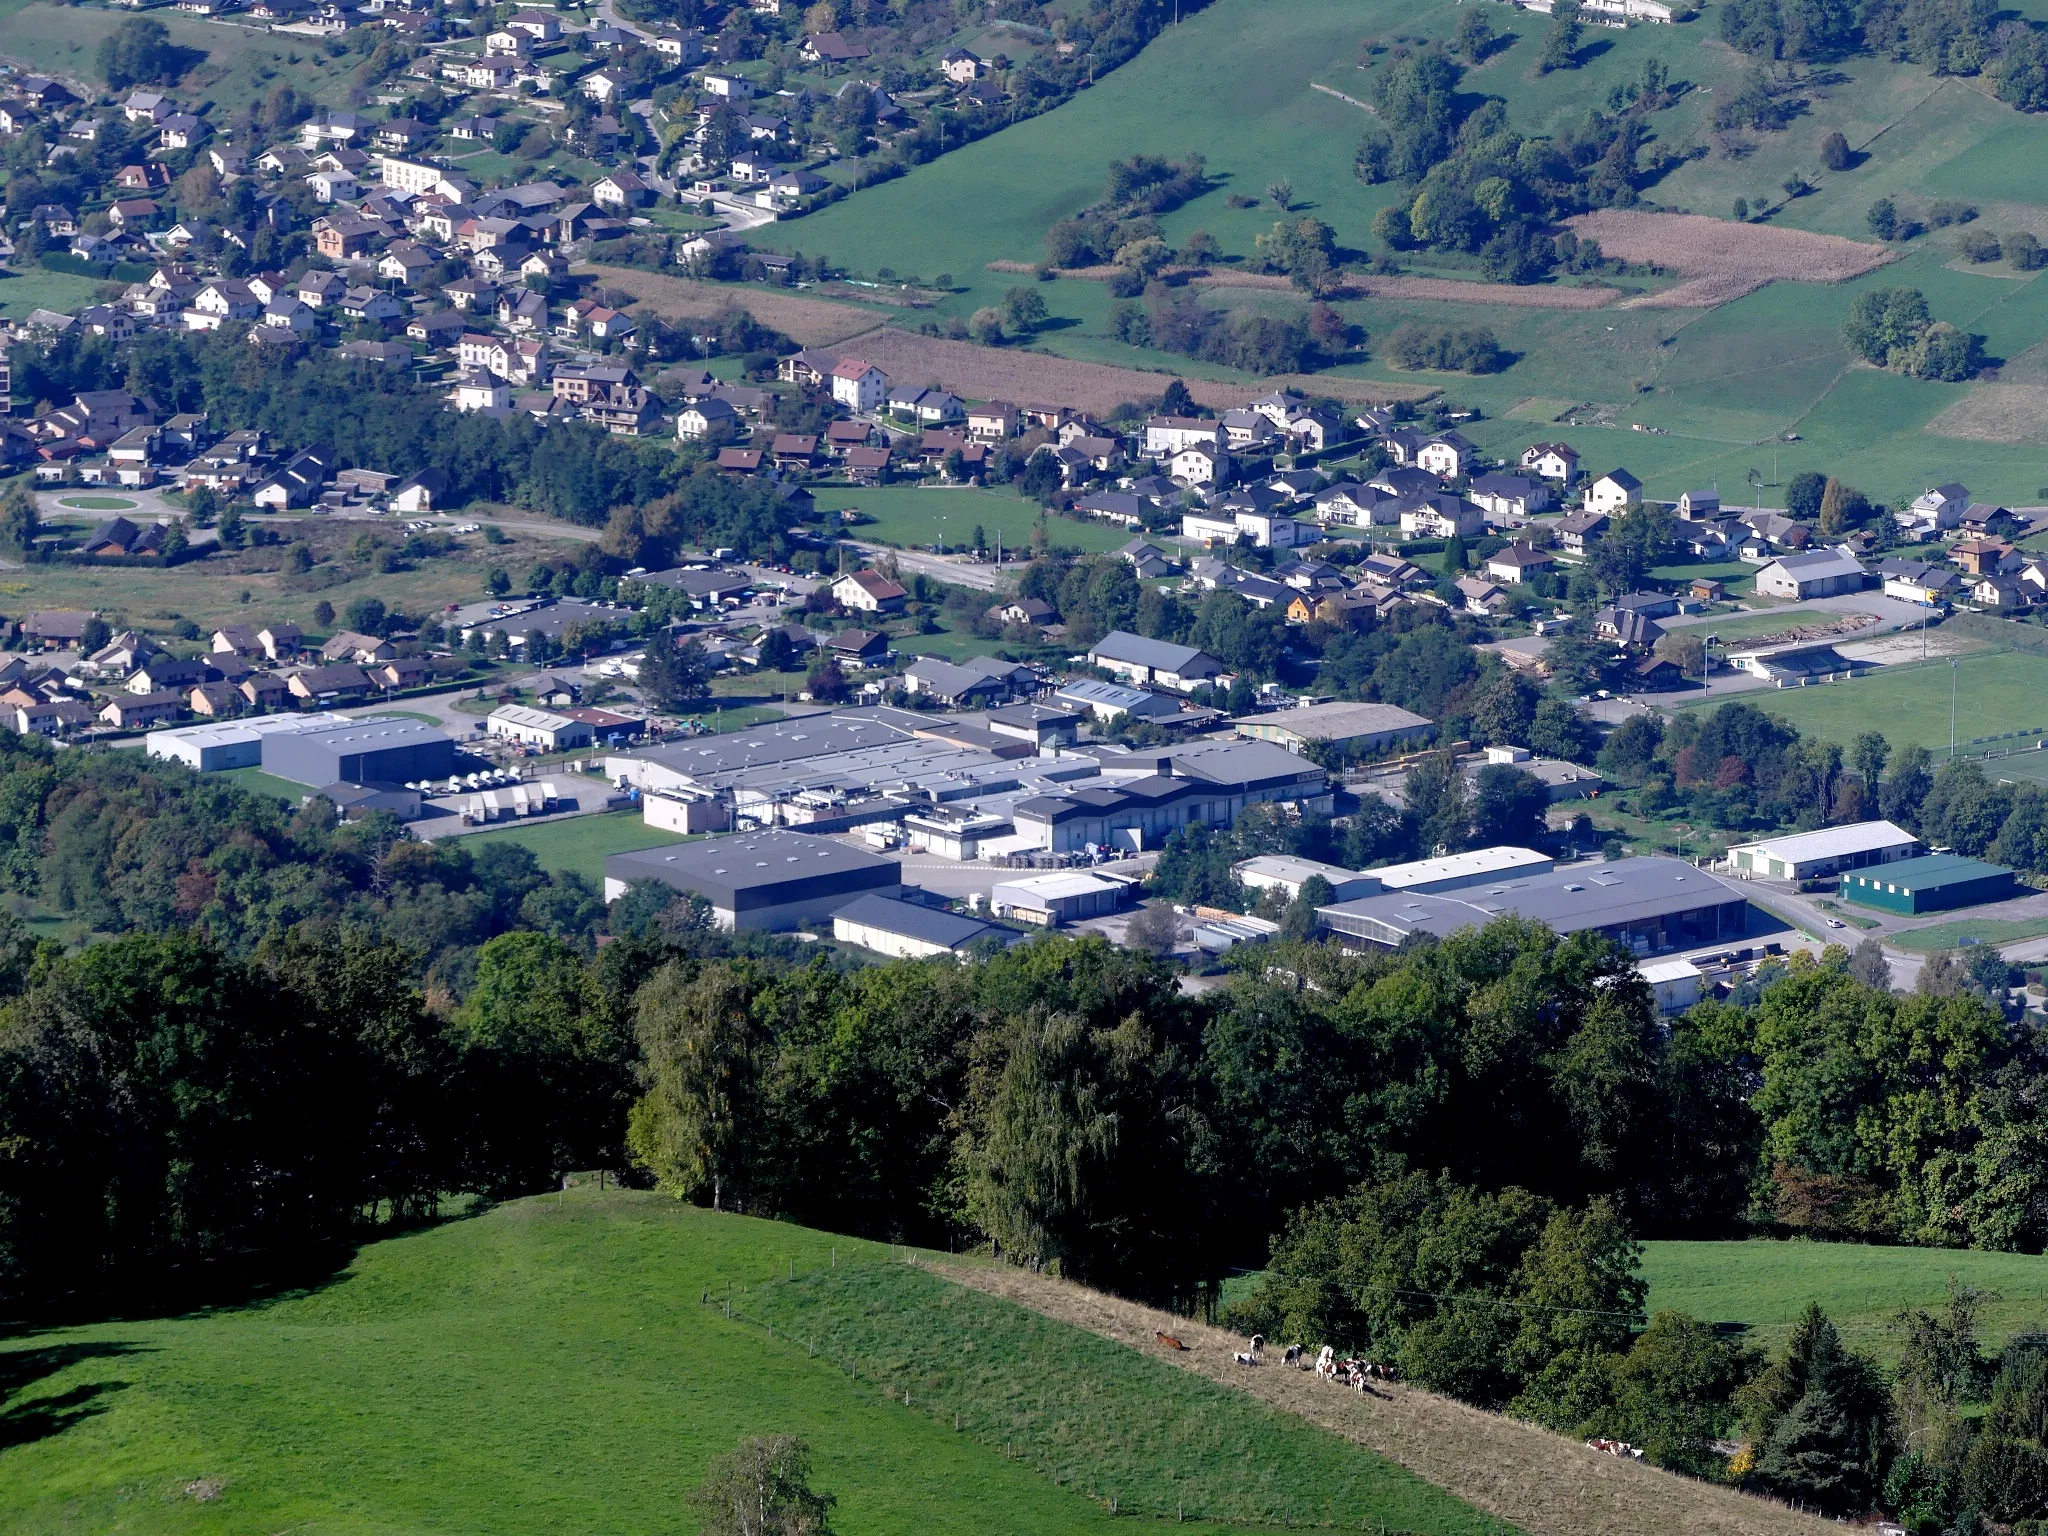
1723, 261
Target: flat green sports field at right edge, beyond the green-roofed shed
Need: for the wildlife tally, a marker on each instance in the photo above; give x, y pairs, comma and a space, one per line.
1996, 691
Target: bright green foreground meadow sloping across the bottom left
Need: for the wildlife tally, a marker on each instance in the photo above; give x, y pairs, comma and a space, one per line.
552, 1371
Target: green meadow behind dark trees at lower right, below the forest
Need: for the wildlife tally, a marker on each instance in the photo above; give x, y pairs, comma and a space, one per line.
1770, 1283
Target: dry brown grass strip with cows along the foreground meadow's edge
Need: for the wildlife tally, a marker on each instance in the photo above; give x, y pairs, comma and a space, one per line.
1541, 1482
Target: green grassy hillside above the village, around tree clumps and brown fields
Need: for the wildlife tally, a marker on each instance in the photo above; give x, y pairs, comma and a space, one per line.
1723, 388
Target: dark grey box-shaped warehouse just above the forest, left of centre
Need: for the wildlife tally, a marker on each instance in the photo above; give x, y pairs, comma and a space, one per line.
761, 880
